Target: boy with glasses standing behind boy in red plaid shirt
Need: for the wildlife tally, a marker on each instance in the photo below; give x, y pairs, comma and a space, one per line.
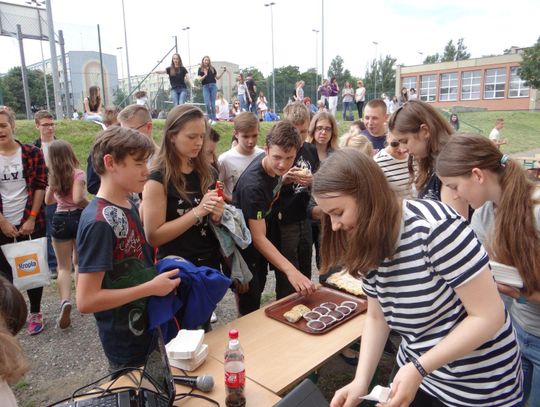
47, 134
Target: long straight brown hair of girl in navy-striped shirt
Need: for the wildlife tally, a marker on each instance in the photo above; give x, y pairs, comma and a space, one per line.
351, 173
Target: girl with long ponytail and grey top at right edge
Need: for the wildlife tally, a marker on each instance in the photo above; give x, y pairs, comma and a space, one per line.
507, 221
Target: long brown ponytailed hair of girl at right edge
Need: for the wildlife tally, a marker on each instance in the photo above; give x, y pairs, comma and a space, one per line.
513, 240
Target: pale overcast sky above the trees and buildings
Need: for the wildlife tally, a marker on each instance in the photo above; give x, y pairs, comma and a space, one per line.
239, 31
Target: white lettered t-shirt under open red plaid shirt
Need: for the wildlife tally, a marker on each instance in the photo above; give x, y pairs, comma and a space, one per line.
13, 187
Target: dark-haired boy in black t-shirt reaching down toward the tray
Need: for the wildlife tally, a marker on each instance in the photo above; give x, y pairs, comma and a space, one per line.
255, 192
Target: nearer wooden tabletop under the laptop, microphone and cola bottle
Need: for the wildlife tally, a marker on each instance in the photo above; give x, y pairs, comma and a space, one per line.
256, 395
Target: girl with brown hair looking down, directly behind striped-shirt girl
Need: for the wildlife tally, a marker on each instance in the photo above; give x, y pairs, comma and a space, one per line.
423, 132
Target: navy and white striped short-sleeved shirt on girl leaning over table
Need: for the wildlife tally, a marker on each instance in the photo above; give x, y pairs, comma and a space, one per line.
436, 253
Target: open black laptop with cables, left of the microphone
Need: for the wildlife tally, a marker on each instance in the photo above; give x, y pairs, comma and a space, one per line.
155, 389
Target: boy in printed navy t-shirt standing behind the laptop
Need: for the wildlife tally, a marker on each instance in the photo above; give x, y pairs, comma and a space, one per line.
115, 262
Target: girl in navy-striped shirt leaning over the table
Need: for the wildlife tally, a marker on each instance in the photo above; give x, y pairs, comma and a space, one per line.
422, 270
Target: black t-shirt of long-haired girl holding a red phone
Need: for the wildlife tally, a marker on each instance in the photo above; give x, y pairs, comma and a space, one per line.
199, 241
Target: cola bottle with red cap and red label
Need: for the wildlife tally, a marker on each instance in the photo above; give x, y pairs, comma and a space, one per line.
235, 372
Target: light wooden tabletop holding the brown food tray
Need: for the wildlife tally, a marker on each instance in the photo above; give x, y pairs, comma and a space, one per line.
277, 355
